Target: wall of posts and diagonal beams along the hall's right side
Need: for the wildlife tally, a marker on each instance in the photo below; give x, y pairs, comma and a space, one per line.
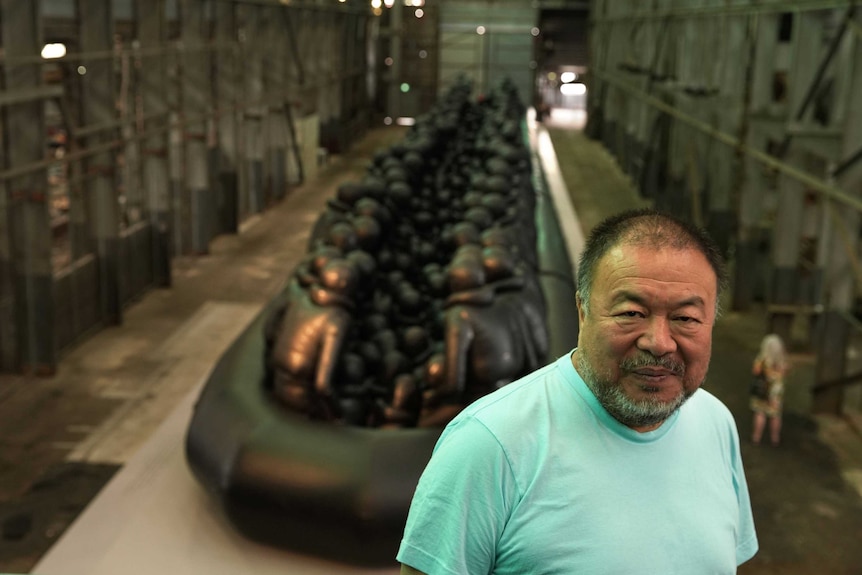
746, 116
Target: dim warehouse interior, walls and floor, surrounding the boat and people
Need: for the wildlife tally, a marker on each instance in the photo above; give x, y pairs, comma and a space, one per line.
164, 162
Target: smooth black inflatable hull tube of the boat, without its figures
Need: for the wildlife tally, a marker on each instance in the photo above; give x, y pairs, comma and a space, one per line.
337, 491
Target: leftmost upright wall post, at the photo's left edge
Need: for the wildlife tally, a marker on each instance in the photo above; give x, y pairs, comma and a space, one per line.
28, 259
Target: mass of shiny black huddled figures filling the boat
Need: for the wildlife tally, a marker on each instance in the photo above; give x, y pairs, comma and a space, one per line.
419, 291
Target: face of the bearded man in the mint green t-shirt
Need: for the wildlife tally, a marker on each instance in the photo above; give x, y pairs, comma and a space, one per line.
644, 346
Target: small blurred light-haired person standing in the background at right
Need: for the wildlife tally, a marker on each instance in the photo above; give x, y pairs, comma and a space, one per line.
771, 362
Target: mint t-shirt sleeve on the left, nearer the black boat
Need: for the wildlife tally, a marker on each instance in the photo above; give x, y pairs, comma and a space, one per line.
461, 503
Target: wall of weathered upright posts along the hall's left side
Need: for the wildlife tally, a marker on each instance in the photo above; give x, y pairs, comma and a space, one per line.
134, 136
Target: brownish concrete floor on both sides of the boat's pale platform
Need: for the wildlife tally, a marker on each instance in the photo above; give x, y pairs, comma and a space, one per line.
61, 439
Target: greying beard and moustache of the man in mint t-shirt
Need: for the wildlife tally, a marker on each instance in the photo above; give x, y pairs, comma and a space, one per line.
629, 412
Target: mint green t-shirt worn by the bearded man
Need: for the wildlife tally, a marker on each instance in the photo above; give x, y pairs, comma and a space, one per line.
538, 478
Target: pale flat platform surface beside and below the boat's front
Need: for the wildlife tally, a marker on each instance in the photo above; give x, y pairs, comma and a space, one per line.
153, 517
